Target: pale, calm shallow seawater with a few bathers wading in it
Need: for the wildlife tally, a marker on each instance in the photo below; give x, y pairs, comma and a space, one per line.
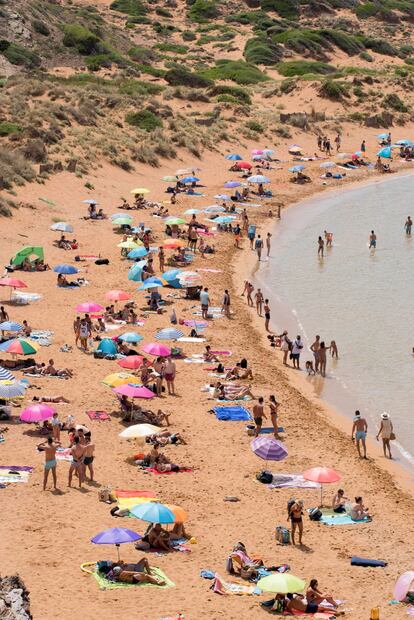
362, 299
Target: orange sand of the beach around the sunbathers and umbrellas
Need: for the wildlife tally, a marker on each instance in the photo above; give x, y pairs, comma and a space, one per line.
46, 536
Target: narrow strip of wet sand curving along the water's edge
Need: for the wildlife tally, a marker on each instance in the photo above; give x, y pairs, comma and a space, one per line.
403, 475
